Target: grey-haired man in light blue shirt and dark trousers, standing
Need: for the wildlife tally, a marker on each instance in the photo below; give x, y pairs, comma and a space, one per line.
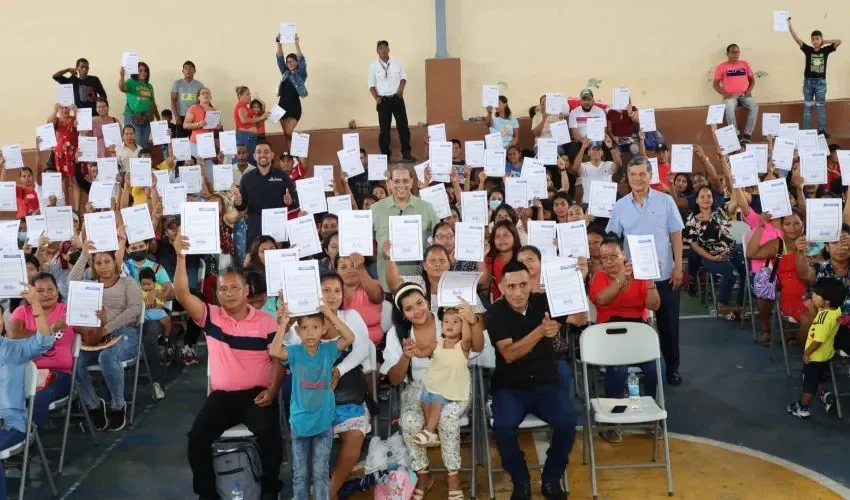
644, 211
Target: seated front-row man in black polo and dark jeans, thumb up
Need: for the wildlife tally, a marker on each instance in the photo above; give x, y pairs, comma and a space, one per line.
526, 381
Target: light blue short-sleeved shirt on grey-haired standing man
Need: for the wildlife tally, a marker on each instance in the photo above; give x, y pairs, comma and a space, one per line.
658, 216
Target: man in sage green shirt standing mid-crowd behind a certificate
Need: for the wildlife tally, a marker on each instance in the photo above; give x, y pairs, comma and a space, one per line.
401, 202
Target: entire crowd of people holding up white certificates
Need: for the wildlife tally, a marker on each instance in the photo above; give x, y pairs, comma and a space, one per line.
258, 352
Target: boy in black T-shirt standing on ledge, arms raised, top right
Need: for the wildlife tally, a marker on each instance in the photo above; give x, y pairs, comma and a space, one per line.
814, 76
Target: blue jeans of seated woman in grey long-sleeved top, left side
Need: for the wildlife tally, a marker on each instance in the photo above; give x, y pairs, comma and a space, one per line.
110, 360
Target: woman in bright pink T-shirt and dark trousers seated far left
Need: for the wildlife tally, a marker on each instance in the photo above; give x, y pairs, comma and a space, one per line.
59, 359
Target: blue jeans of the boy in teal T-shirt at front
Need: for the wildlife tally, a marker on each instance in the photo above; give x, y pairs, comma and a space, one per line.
311, 458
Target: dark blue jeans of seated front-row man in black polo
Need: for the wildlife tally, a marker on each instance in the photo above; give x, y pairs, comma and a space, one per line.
546, 402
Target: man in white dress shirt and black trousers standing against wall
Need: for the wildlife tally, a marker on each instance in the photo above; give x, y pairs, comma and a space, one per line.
386, 83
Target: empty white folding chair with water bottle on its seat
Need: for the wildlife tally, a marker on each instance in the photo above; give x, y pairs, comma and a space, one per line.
618, 344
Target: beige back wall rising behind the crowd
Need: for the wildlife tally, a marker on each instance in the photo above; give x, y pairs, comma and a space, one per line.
664, 50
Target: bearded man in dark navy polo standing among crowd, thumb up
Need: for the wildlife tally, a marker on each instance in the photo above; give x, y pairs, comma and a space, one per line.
265, 187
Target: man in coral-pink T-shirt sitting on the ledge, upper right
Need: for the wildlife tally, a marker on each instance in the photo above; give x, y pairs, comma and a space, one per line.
734, 80
